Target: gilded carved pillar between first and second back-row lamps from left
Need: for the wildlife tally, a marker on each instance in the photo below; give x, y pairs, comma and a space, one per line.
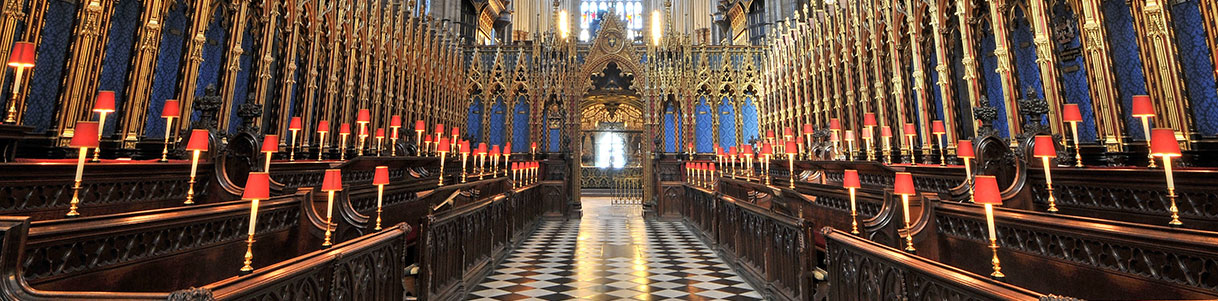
85, 65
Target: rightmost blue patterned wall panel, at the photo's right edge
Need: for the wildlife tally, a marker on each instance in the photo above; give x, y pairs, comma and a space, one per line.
1199, 77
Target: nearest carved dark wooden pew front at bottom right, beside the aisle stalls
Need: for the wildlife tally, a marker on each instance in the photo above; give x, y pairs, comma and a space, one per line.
862, 270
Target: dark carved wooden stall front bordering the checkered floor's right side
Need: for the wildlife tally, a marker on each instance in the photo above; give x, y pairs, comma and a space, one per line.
773, 249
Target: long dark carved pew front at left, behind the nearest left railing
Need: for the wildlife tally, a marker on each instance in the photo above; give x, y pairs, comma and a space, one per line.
161, 249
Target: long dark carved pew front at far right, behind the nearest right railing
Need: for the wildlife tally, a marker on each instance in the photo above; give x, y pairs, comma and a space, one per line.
1076, 257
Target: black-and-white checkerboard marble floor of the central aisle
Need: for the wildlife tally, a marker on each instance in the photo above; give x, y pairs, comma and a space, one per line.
613, 254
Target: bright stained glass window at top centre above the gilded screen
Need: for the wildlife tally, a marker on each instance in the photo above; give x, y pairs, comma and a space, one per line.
594, 12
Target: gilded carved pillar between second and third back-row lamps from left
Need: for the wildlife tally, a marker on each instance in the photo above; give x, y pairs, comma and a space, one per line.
143, 70
